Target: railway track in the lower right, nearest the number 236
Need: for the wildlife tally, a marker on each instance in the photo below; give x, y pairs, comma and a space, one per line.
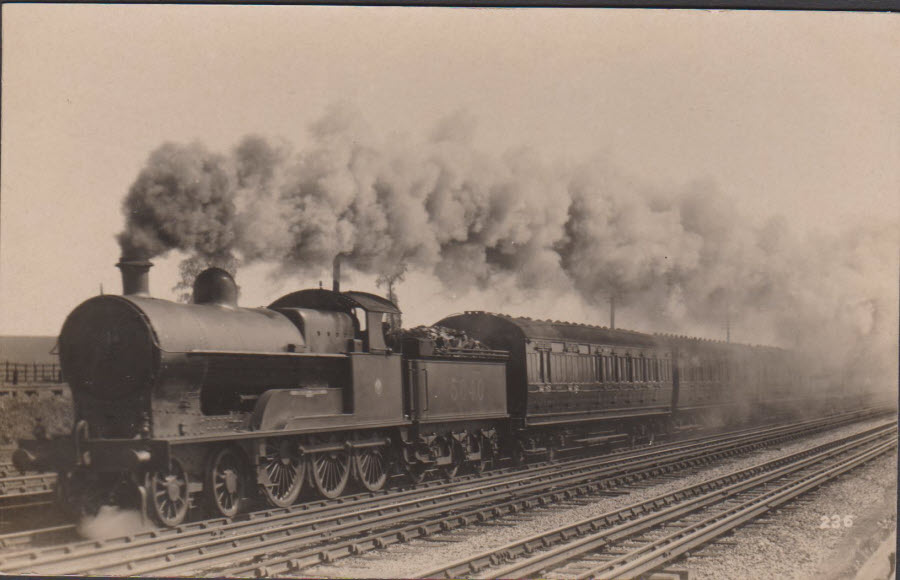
646, 536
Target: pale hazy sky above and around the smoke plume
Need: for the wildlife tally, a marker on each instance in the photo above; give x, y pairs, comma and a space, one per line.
793, 113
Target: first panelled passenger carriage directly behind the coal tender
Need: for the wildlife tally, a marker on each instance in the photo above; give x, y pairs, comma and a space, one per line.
573, 385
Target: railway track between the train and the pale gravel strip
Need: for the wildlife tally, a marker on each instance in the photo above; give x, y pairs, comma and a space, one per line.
288, 540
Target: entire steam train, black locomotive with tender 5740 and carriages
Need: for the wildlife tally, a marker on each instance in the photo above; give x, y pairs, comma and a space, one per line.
182, 405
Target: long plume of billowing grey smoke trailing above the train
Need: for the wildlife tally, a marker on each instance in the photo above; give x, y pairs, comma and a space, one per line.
678, 259
